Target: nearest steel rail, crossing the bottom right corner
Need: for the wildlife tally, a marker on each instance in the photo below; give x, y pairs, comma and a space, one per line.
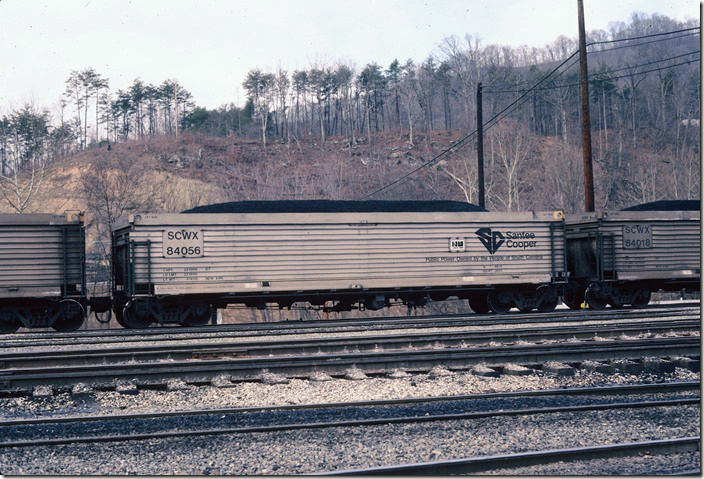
478, 464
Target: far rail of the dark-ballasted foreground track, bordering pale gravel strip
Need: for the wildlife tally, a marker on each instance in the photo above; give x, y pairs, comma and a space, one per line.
610, 390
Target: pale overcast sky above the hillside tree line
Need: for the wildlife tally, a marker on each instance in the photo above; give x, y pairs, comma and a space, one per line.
209, 45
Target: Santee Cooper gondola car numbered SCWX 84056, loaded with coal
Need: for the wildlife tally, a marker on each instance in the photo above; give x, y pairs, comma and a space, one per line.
175, 268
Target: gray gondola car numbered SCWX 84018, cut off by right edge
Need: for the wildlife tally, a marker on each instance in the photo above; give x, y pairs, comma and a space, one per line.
621, 257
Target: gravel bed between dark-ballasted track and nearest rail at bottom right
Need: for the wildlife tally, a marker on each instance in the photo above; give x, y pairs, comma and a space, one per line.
309, 451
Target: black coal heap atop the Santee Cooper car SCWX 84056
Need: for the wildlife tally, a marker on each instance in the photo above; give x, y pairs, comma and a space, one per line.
333, 206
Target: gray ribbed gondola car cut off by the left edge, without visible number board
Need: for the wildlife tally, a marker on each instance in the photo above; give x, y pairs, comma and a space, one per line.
42, 271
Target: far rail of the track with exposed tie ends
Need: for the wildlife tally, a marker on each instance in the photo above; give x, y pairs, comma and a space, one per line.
157, 352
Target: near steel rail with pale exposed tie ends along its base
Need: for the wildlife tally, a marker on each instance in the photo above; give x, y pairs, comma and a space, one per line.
202, 371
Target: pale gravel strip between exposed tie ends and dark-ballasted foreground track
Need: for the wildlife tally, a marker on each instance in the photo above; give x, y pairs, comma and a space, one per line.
298, 391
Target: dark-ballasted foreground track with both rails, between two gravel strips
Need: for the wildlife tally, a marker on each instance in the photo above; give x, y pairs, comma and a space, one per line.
164, 425
